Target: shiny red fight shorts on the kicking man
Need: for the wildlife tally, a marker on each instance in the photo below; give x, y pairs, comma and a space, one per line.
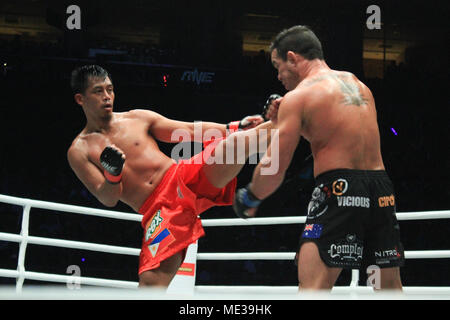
170, 214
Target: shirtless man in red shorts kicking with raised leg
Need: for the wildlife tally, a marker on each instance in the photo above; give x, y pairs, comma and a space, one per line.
117, 158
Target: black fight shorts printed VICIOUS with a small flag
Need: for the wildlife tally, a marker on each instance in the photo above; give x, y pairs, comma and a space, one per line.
351, 218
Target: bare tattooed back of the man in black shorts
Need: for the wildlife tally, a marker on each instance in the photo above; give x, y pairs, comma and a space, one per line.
339, 119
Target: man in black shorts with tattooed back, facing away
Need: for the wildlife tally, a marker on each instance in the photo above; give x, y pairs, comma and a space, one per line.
351, 217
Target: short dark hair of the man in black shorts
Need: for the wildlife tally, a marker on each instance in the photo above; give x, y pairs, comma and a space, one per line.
299, 39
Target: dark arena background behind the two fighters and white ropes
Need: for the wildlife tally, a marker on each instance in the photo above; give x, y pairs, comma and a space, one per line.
209, 61
